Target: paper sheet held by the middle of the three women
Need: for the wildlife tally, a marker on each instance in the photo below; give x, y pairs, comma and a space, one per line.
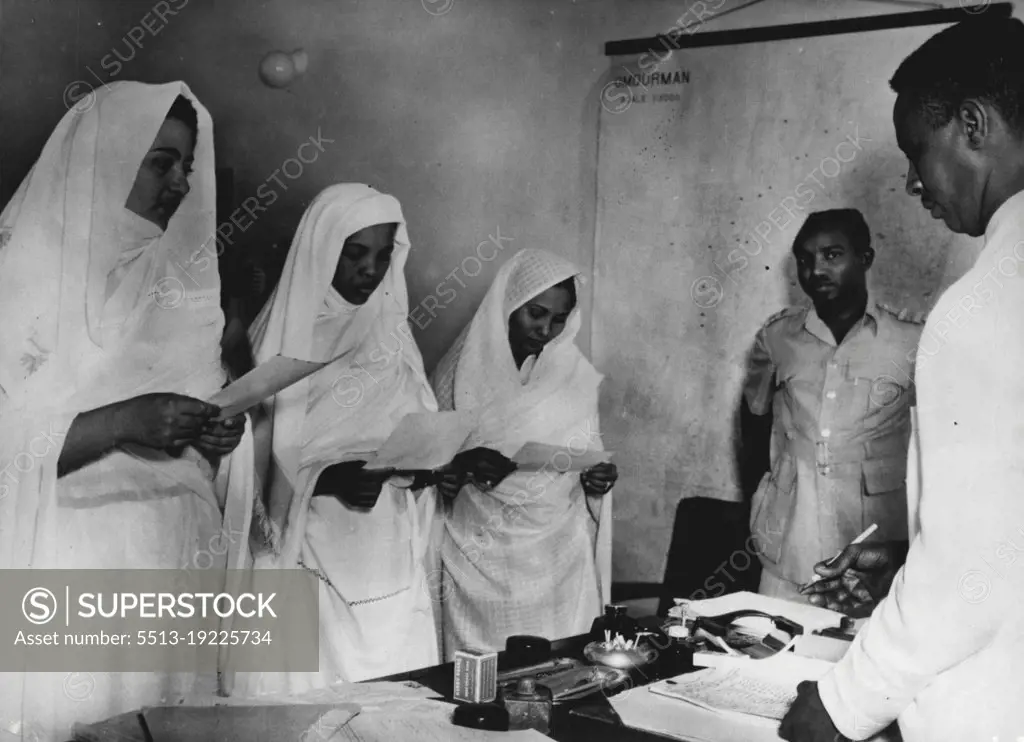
424, 442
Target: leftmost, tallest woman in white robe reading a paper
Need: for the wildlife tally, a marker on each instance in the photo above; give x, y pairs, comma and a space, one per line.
108, 352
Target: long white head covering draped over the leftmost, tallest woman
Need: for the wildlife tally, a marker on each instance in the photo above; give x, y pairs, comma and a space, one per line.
87, 319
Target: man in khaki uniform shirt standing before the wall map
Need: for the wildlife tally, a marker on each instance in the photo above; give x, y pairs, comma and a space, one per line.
839, 378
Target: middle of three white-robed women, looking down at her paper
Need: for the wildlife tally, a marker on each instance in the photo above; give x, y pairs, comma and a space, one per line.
343, 295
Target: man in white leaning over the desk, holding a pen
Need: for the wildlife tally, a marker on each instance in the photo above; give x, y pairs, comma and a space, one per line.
944, 653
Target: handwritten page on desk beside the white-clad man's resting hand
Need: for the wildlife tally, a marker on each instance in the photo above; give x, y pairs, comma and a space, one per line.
759, 688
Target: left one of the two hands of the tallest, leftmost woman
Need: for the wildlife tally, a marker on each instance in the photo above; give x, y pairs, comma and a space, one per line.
164, 422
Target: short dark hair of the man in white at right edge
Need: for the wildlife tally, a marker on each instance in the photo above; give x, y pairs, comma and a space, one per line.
978, 59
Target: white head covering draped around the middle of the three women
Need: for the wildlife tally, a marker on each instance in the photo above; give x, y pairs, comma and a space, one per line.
307, 319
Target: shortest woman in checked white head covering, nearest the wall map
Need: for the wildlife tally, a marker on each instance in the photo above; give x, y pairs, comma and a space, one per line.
533, 555
